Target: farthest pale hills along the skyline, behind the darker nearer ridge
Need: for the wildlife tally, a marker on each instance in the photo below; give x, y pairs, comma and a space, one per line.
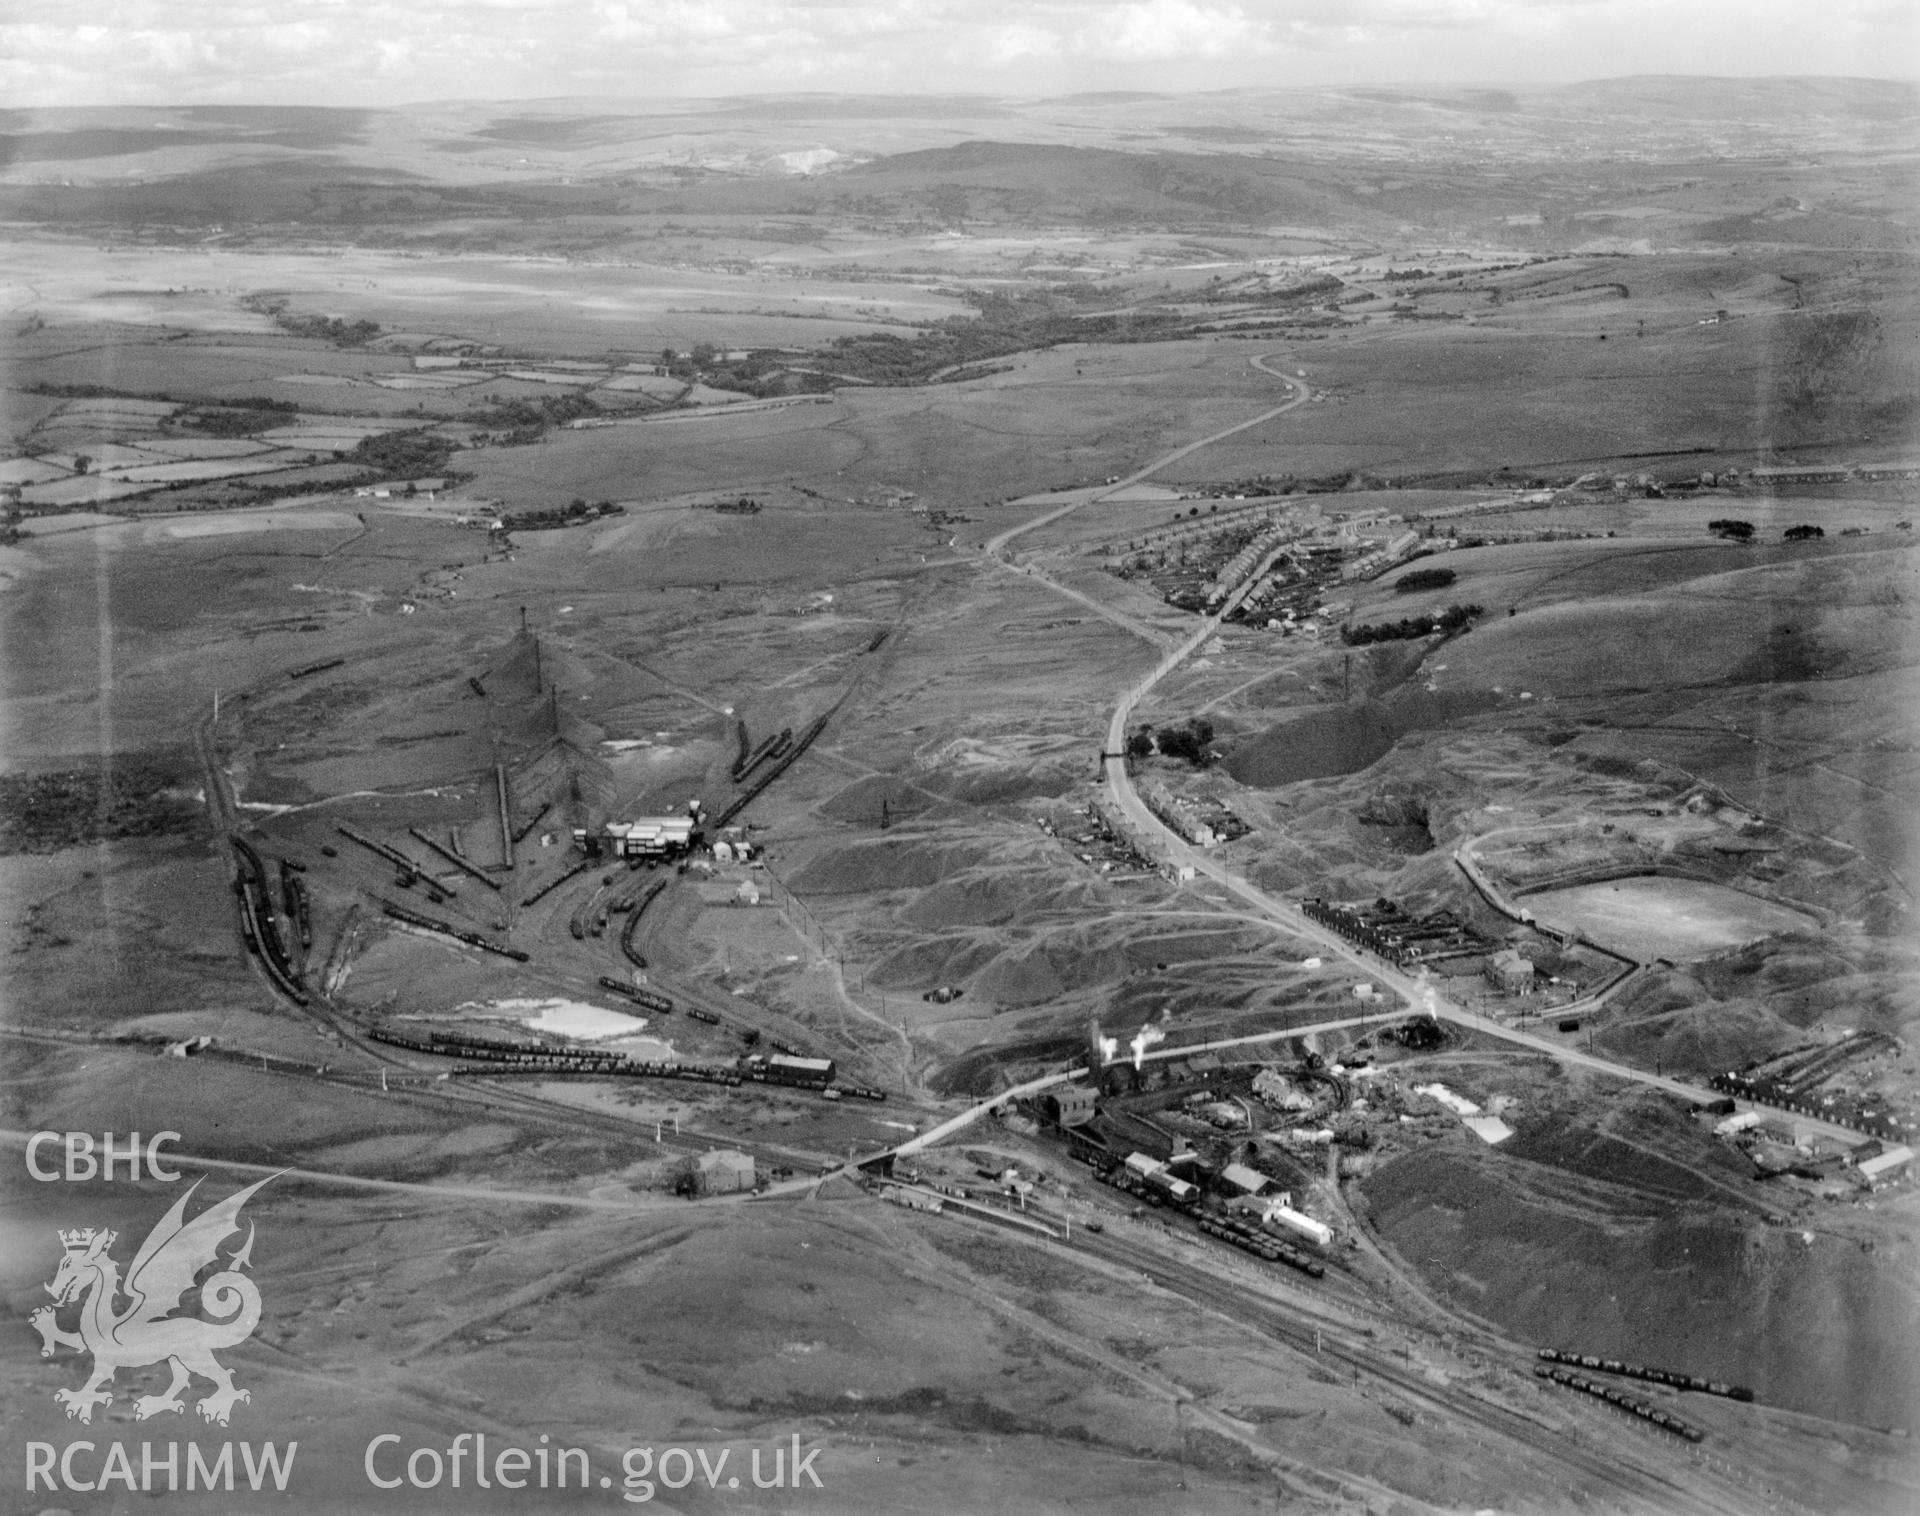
1664, 116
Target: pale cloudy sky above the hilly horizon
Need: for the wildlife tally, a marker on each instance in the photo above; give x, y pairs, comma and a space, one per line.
389, 53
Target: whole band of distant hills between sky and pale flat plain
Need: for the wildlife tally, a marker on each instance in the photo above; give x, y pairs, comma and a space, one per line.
1372, 162
